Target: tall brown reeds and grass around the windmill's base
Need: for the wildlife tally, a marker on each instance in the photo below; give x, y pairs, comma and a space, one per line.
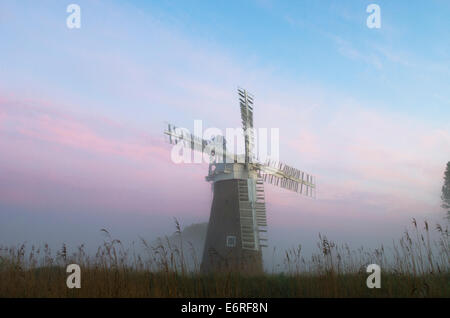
415, 266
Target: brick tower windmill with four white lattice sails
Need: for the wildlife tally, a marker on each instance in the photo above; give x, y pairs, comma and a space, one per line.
237, 223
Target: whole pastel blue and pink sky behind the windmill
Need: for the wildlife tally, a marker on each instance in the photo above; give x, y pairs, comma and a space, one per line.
82, 114
